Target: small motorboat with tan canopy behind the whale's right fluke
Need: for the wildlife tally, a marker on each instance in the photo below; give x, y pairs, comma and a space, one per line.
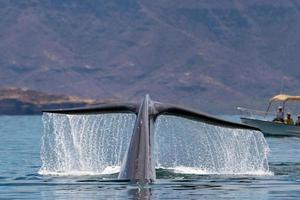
264, 123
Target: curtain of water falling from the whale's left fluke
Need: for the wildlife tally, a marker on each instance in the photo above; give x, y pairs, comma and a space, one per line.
84, 144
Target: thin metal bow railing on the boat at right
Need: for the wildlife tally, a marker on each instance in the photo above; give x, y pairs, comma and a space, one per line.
255, 114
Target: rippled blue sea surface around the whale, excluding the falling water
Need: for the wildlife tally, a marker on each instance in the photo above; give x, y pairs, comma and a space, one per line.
20, 143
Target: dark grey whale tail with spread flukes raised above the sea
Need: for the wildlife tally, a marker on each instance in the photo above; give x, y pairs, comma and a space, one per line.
138, 164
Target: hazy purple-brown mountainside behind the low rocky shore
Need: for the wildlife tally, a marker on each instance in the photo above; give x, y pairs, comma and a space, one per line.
211, 55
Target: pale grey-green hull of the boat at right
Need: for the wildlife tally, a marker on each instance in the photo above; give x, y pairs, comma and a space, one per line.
269, 128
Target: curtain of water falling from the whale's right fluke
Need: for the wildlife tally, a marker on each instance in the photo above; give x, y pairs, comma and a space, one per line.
188, 146
